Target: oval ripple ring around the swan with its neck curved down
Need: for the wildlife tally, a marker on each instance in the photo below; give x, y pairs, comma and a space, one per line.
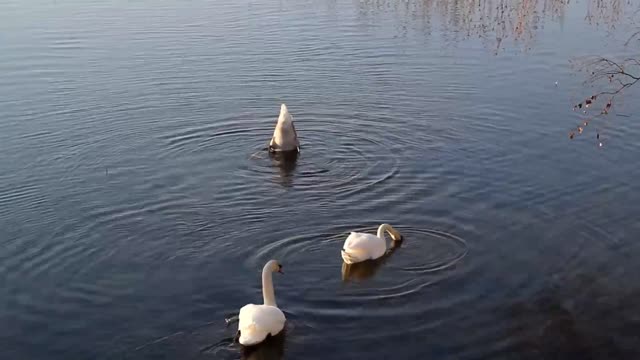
407, 268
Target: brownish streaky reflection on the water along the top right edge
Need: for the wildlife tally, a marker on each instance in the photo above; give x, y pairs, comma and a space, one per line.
494, 22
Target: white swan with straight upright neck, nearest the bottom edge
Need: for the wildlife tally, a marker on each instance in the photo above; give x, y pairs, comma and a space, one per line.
258, 321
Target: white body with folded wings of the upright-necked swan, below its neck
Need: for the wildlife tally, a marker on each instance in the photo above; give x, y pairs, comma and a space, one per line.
258, 321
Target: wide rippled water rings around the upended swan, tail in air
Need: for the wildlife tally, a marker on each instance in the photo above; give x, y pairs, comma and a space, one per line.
340, 153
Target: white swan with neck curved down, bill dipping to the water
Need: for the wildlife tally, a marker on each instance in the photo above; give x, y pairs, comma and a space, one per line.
362, 246
